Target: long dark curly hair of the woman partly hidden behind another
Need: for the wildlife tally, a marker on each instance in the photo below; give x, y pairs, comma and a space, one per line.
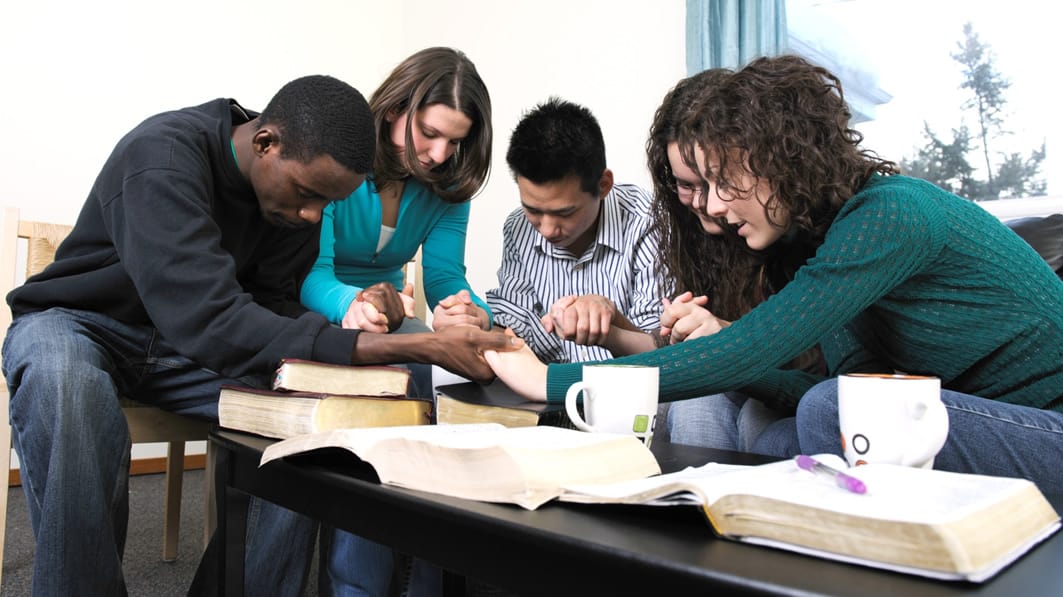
723, 269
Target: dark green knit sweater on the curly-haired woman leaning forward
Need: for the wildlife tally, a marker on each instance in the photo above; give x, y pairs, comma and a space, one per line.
909, 278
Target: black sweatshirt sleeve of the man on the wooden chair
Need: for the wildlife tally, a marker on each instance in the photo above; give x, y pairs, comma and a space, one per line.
168, 245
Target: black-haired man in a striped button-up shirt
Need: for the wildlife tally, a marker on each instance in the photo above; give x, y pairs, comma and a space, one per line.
579, 257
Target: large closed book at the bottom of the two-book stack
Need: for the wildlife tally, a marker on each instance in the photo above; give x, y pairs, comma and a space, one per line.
284, 415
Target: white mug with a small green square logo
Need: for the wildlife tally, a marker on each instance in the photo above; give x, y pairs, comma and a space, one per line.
617, 400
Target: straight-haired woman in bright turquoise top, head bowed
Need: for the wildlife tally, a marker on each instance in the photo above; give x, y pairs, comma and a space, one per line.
433, 118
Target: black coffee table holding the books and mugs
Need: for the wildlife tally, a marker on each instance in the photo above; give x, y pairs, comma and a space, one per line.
564, 549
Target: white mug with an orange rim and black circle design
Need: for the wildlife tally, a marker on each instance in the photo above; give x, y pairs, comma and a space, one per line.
891, 419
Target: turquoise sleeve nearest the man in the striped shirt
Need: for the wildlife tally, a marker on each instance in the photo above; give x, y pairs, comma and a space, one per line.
443, 257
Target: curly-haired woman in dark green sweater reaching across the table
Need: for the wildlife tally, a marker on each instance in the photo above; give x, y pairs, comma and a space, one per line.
905, 277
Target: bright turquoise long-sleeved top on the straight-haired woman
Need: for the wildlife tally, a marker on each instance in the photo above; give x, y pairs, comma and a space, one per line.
348, 260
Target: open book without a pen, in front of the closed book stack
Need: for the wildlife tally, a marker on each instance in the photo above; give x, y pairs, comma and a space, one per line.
488, 463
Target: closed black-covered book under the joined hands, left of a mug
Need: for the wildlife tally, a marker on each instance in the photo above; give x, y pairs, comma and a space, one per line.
495, 403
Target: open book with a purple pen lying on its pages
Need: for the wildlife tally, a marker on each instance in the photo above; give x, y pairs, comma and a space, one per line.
942, 525
